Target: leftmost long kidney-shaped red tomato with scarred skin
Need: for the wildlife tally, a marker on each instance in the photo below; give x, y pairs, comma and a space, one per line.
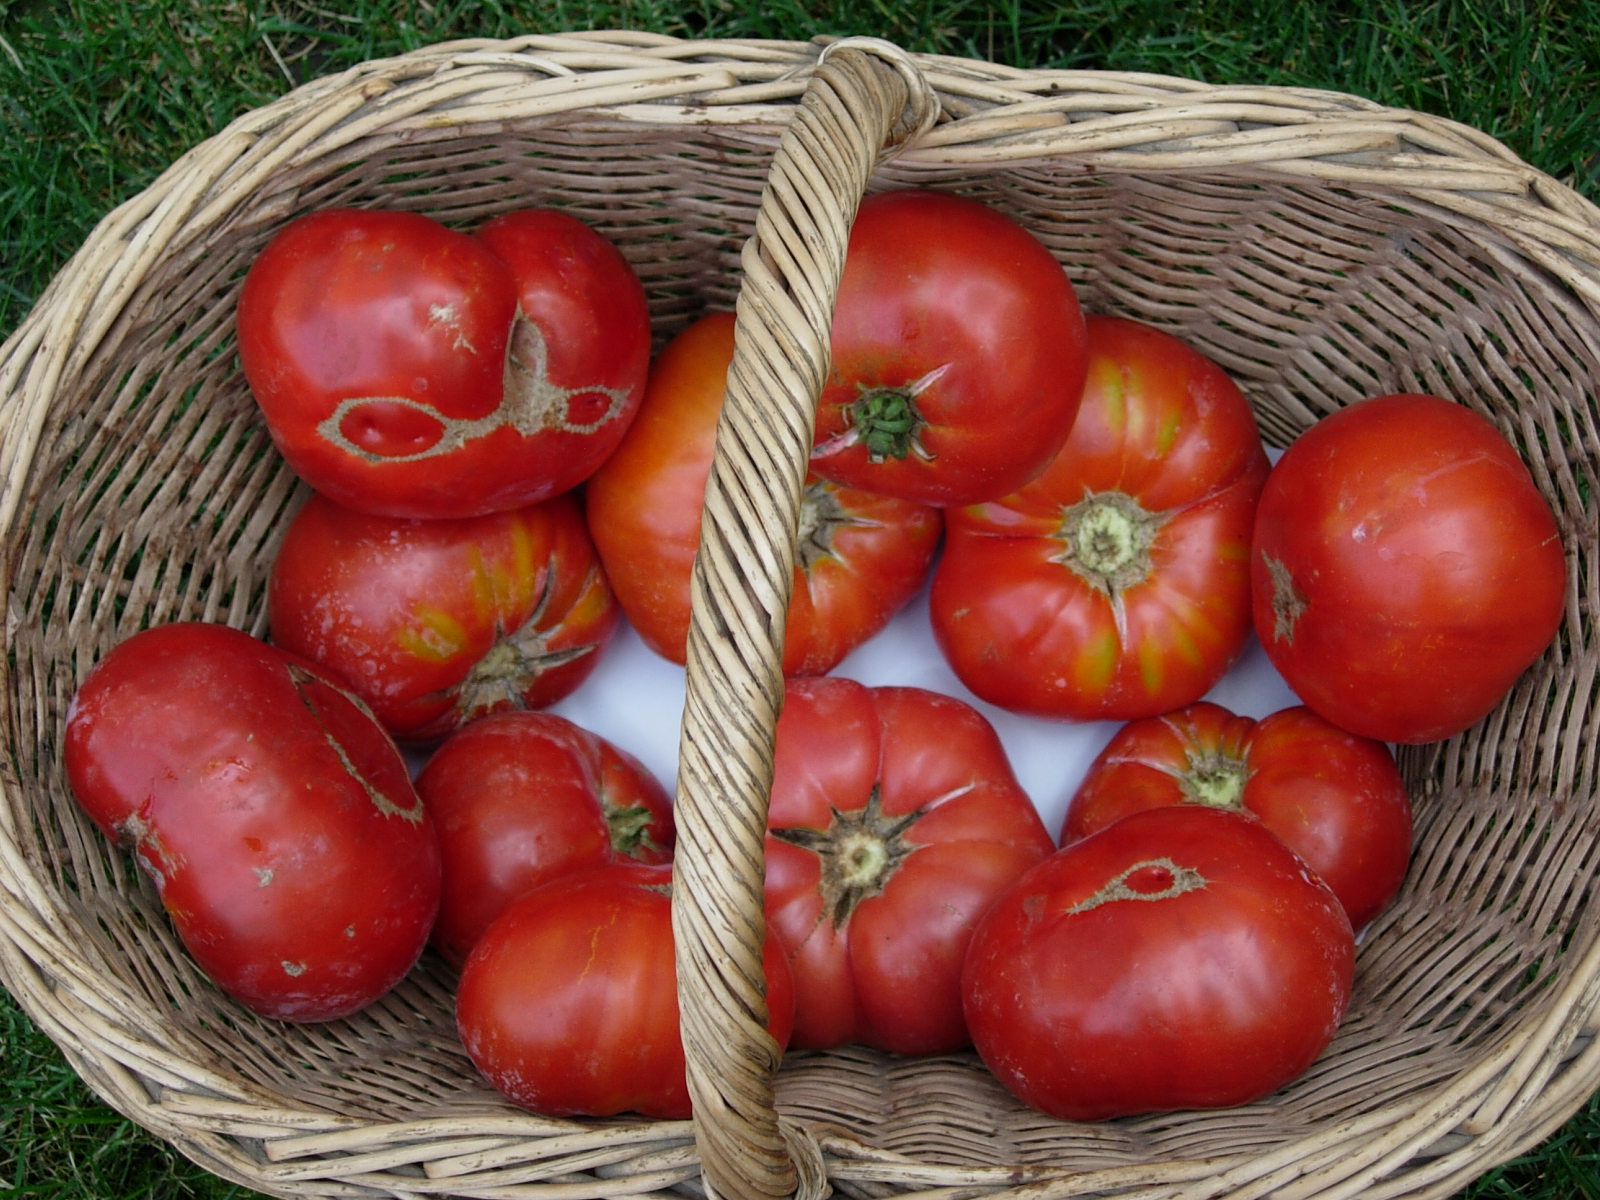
274, 815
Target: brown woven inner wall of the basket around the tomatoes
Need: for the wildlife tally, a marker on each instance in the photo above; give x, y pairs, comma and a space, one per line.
158, 495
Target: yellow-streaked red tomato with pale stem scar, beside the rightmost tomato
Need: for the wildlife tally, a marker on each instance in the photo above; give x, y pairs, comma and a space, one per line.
1116, 585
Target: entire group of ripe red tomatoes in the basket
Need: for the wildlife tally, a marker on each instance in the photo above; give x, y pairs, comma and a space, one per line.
502, 479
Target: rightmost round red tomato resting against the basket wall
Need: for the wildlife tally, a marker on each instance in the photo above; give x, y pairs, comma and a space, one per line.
1406, 569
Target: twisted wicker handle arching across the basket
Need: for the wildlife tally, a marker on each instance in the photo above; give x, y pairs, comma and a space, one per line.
863, 100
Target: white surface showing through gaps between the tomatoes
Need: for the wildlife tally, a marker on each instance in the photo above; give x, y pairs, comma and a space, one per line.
636, 700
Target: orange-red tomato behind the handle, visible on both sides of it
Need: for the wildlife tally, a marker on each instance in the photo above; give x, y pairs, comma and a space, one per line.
862, 556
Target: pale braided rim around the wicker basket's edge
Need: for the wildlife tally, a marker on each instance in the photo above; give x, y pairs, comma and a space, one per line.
993, 116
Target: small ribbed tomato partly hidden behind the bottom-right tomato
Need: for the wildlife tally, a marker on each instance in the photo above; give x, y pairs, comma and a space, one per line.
1334, 798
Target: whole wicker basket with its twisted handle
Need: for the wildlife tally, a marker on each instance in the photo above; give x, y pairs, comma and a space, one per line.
1318, 246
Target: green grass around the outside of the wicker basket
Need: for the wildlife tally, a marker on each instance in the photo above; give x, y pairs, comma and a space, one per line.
97, 98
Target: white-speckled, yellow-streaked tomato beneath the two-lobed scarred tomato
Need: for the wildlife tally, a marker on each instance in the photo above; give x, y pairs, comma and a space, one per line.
436, 623
